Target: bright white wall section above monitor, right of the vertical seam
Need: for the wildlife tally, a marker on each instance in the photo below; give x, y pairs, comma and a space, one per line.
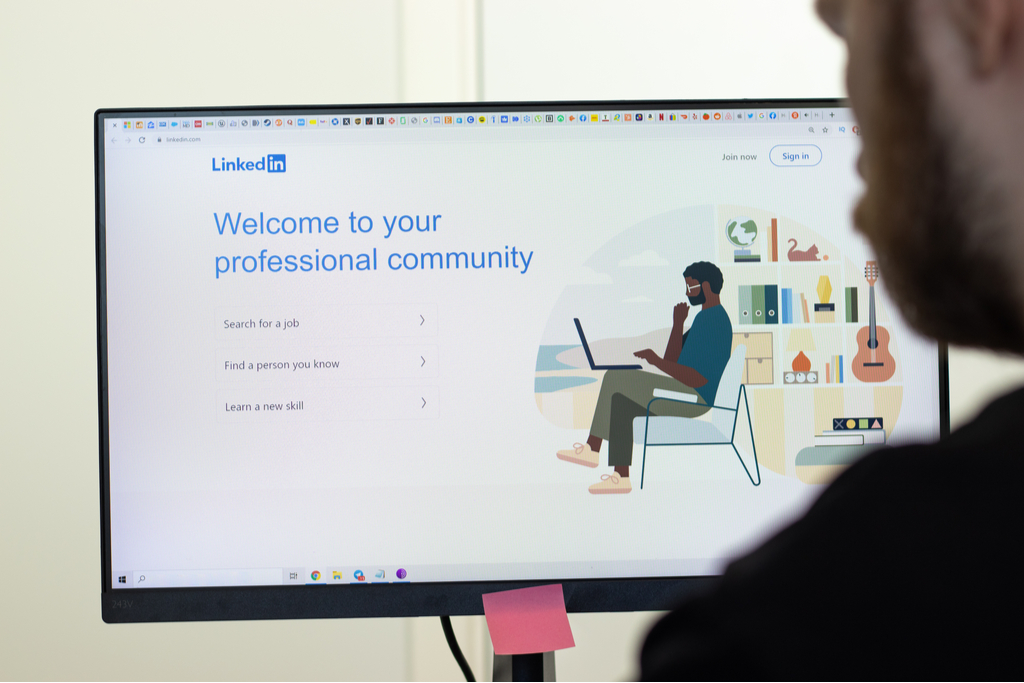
607, 50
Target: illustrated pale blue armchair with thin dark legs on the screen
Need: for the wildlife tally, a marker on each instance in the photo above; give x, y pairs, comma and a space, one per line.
659, 431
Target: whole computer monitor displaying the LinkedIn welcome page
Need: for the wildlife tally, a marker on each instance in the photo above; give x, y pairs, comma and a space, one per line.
340, 373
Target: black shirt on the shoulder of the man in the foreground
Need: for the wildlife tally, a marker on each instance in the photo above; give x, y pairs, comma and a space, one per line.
909, 566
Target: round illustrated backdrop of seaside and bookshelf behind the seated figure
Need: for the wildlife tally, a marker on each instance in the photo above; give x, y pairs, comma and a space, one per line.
800, 306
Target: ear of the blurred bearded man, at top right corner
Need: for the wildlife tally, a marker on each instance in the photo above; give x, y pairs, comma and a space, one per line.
988, 28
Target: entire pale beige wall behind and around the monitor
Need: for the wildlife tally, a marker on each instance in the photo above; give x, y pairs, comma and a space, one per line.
62, 61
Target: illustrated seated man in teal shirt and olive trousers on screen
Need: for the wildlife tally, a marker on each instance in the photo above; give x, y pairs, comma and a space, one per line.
694, 362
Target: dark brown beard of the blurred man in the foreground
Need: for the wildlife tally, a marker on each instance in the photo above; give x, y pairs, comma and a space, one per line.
932, 214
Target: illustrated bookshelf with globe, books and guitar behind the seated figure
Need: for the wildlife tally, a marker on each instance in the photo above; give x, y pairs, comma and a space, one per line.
798, 305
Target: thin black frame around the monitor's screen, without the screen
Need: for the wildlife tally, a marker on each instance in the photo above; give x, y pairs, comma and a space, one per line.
426, 600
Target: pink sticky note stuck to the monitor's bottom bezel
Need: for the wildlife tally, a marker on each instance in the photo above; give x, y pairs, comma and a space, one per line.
529, 620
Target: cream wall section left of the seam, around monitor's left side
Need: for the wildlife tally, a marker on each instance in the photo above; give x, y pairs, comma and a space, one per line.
59, 63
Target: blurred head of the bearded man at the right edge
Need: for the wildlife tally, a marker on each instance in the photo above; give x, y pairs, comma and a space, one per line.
938, 88
